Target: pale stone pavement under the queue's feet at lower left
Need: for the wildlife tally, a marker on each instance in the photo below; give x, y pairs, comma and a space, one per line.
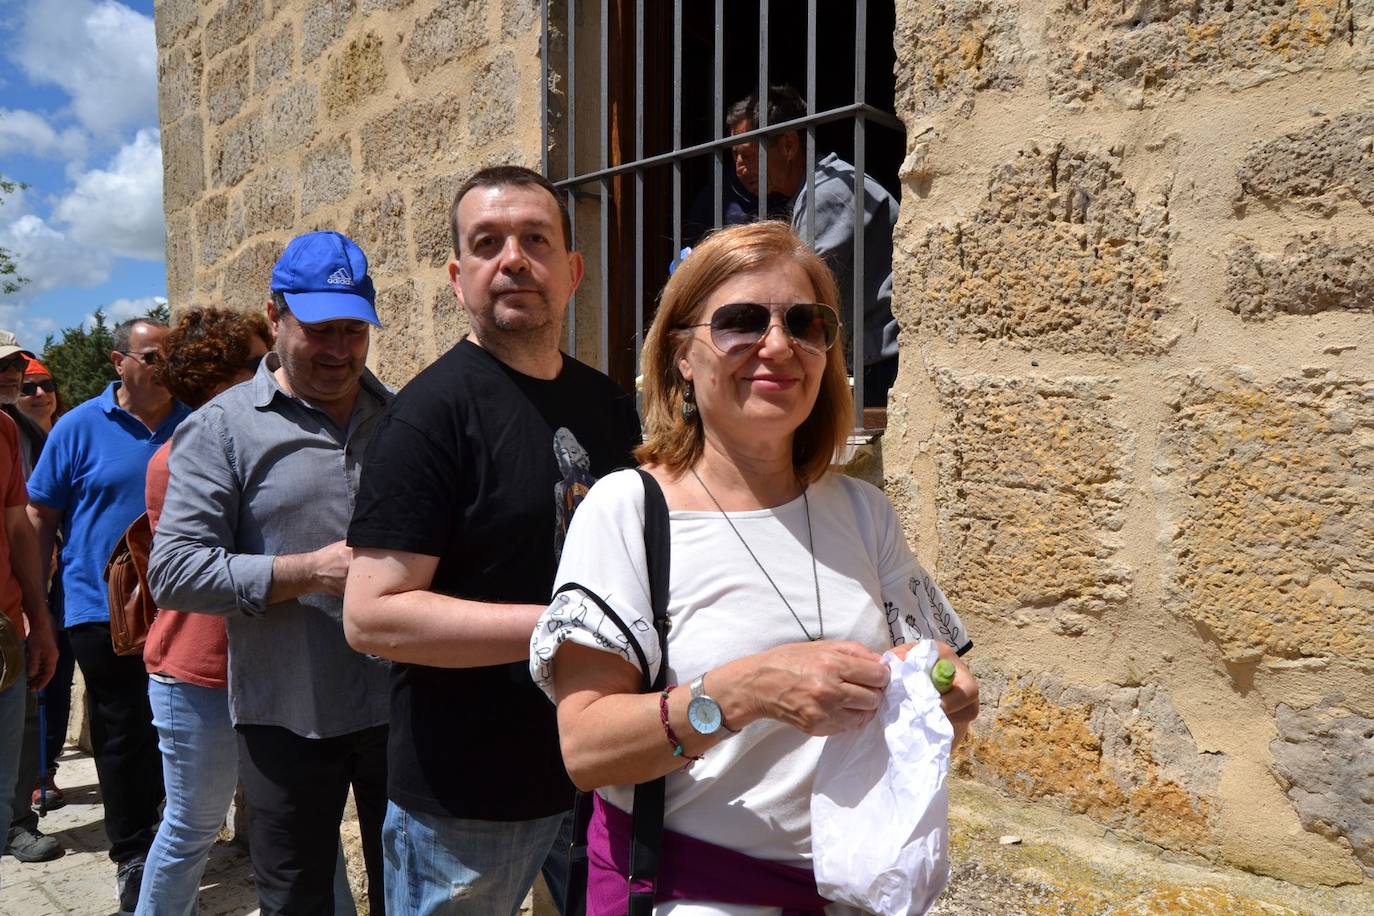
82, 884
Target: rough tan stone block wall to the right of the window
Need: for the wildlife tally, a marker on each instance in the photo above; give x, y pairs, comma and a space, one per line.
1134, 428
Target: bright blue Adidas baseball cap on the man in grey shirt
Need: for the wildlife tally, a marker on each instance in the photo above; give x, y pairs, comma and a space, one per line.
324, 277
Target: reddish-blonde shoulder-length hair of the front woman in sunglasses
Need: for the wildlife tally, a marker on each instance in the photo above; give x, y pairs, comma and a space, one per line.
675, 443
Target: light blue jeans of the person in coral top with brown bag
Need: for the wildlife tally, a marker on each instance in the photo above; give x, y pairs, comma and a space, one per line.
200, 770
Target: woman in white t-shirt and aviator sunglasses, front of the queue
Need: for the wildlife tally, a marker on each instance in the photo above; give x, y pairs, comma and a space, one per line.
787, 584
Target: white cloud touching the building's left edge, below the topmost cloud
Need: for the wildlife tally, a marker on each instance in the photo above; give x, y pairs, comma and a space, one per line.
119, 209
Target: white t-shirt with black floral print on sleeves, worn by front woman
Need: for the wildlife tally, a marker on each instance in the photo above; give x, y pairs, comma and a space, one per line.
752, 792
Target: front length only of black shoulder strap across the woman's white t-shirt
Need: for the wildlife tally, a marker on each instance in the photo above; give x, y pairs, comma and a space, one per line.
648, 836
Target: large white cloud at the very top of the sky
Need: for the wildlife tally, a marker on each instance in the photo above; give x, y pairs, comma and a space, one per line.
104, 54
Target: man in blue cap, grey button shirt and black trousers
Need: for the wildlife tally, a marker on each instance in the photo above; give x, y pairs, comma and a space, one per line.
262, 490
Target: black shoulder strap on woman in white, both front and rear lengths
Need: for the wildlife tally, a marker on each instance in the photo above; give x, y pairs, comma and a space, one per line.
648, 830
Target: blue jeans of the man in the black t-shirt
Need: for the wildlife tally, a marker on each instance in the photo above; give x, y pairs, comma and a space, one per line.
457, 867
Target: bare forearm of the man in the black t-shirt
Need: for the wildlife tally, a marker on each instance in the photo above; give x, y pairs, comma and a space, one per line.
425, 628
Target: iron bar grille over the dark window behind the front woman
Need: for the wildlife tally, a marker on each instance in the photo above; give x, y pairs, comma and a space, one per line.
608, 60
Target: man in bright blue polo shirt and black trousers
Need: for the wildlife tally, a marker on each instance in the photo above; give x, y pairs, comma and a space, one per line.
90, 484
